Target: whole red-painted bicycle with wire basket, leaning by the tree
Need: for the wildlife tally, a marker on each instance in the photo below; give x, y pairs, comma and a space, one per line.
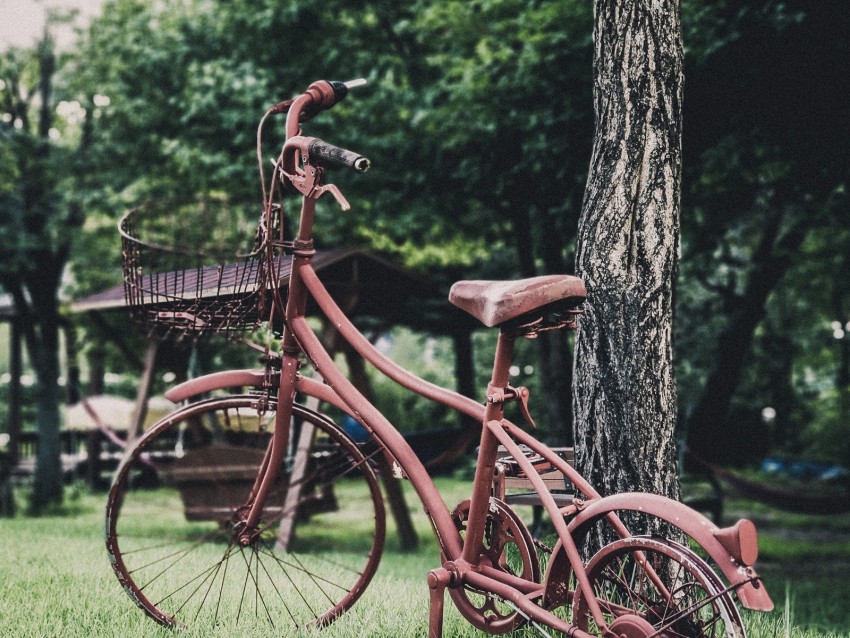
293, 524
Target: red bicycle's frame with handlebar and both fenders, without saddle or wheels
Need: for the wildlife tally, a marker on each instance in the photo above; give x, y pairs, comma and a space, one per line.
731, 548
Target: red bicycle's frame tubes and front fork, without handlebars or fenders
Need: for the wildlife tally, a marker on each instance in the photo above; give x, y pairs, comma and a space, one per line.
337, 390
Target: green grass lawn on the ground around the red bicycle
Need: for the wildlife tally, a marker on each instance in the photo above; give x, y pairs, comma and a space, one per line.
56, 581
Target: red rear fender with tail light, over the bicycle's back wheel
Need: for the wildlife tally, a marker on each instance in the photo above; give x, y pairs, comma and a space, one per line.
714, 540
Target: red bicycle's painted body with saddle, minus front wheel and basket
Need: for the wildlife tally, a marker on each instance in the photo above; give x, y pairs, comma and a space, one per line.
518, 309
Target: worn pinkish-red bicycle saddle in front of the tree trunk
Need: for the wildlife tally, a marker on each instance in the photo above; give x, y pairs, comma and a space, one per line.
497, 303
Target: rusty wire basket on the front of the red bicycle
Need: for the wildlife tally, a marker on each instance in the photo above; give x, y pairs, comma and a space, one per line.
188, 270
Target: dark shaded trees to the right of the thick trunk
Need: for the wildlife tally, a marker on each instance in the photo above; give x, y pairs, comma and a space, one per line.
765, 231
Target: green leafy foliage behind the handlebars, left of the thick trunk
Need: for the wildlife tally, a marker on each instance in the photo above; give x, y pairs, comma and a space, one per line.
478, 165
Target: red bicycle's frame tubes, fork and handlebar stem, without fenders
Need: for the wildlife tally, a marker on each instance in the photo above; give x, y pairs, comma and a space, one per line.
299, 338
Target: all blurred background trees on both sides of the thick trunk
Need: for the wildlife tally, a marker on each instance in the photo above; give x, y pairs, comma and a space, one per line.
479, 122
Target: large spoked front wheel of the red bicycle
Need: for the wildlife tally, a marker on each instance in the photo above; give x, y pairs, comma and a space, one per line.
173, 512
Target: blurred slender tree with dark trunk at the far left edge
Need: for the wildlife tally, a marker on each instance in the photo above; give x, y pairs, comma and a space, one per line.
44, 146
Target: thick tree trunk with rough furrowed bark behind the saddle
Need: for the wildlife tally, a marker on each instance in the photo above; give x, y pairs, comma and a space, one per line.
627, 252
